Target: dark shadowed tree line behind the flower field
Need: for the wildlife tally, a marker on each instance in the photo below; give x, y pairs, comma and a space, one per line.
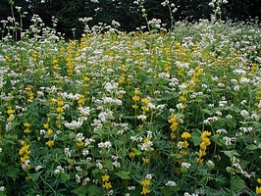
125, 12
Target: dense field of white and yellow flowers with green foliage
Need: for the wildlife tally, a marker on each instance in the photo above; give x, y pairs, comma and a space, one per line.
154, 113
